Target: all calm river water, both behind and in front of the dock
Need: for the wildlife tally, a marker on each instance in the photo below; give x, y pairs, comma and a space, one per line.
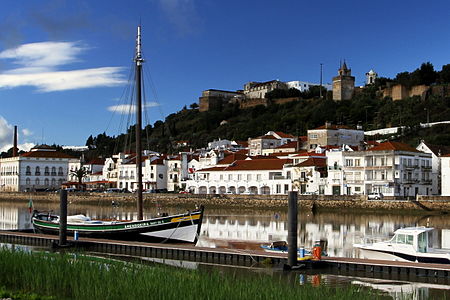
244, 229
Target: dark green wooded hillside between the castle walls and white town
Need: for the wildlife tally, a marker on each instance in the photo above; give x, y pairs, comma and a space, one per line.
295, 118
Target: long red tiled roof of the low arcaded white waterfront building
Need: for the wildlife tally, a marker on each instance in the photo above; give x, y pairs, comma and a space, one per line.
250, 165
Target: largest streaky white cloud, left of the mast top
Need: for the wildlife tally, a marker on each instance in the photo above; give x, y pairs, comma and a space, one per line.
39, 64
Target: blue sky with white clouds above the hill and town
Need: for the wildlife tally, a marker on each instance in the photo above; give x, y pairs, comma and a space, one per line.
65, 65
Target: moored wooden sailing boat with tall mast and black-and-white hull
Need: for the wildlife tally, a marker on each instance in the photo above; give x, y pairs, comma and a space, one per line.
183, 227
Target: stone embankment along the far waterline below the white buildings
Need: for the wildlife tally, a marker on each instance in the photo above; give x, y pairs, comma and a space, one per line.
312, 202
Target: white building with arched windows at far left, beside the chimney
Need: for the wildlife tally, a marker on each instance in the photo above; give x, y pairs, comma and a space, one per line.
41, 168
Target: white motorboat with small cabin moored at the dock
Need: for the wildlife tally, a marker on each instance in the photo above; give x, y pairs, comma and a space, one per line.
407, 244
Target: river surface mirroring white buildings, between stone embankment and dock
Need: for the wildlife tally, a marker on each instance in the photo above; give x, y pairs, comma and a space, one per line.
247, 229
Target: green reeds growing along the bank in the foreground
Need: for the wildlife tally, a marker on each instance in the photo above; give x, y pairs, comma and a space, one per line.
81, 277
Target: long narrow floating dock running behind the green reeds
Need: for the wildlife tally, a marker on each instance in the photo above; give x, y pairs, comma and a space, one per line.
235, 257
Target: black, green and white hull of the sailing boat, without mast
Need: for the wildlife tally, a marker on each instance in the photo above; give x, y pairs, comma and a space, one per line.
182, 228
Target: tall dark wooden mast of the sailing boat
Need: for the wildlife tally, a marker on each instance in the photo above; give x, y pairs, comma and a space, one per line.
139, 60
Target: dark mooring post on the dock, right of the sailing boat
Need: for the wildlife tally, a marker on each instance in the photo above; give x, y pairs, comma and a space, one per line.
292, 229
